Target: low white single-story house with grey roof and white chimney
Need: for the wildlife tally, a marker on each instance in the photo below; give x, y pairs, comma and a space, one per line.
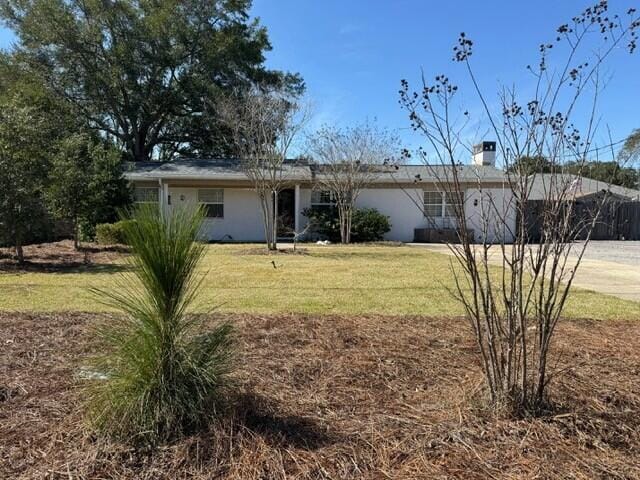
408, 194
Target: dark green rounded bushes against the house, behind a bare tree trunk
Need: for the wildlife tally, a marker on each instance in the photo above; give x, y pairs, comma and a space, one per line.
367, 224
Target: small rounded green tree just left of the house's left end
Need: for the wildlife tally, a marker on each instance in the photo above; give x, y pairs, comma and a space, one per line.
85, 184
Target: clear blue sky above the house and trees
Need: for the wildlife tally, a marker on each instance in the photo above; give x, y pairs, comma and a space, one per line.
353, 53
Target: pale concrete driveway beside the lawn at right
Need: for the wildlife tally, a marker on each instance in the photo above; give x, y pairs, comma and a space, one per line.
609, 267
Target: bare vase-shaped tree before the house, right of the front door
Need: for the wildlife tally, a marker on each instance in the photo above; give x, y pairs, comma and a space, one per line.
347, 161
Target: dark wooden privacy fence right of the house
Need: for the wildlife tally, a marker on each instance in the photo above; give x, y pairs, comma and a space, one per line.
617, 220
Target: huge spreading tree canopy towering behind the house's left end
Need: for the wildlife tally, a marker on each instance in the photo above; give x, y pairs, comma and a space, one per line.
146, 72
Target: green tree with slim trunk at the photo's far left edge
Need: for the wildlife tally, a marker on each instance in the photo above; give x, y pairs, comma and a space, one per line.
23, 164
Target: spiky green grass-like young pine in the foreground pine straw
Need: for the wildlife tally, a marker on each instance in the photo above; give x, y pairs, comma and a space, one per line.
160, 377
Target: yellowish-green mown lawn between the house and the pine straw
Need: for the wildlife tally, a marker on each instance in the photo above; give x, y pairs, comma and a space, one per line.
391, 280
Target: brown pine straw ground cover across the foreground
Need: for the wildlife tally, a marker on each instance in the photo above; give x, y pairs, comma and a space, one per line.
335, 397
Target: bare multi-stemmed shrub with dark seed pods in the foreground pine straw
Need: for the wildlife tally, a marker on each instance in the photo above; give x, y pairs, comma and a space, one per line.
514, 311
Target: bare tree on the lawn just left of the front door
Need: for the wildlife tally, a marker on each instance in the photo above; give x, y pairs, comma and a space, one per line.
264, 126
